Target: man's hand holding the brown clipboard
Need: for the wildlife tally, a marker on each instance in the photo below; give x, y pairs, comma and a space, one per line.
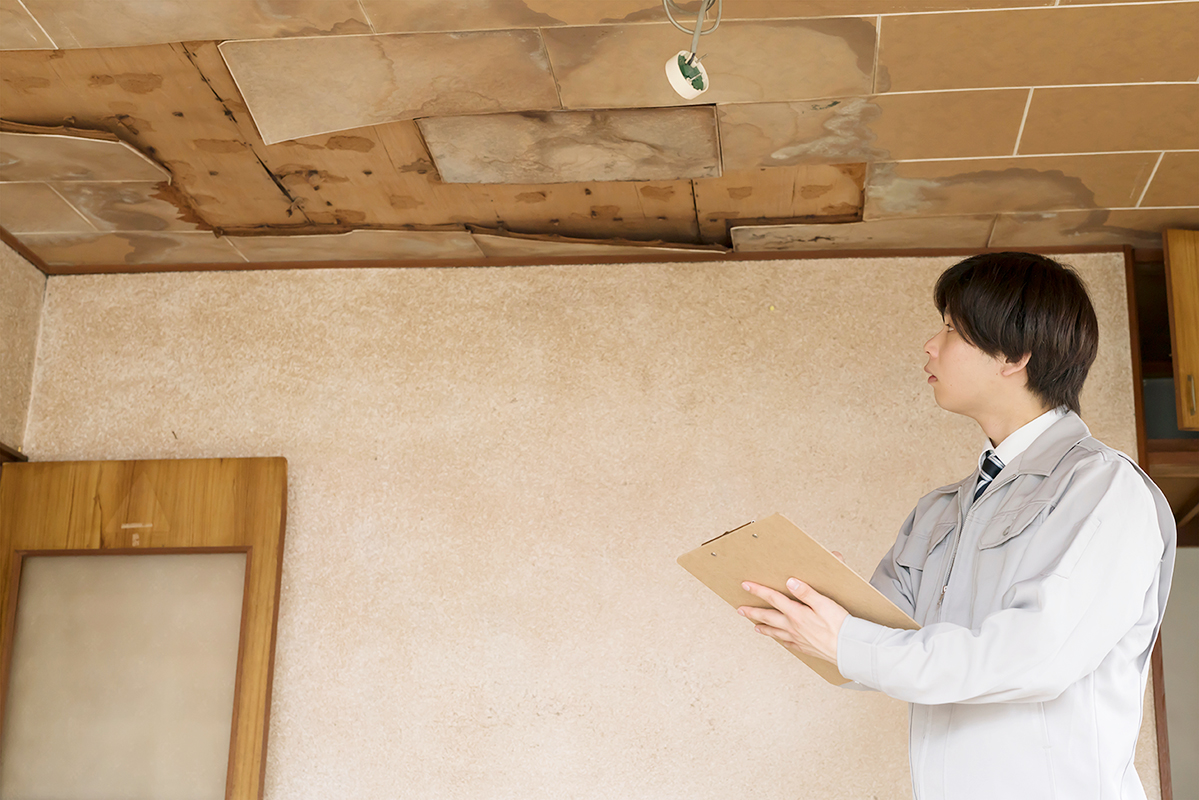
809, 627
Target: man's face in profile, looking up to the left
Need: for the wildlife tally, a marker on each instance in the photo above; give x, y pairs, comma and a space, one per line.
965, 380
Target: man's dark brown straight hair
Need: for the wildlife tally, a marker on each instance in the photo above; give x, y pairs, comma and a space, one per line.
1011, 304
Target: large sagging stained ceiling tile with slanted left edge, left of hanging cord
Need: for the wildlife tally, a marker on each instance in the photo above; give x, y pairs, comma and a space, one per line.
298, 88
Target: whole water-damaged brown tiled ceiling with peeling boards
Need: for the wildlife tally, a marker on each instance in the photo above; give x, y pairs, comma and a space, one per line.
280, 131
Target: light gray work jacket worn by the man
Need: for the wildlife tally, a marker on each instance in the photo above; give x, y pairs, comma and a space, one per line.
1039, 604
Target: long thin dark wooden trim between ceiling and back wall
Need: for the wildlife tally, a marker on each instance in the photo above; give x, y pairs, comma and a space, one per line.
650, 257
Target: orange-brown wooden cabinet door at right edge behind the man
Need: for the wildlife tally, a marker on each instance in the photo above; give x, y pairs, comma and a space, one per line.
1183, 293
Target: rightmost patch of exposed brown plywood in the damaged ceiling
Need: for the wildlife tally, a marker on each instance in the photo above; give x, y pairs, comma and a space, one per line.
779, 194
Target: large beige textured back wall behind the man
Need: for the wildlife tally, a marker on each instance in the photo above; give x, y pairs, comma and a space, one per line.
492, 473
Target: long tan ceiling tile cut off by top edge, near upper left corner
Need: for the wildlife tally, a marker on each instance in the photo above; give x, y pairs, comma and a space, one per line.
124, 23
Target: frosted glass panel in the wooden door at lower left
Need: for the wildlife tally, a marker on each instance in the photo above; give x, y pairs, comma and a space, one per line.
123, 678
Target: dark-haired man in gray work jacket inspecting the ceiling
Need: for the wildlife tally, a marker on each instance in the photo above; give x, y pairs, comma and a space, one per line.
1040, 581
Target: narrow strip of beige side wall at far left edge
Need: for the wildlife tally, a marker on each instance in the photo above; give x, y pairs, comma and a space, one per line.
21, 312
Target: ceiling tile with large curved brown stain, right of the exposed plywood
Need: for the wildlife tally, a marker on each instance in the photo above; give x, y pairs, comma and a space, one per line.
1032, 184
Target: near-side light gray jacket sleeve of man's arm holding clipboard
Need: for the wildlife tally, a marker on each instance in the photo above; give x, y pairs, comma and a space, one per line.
1053, 629
